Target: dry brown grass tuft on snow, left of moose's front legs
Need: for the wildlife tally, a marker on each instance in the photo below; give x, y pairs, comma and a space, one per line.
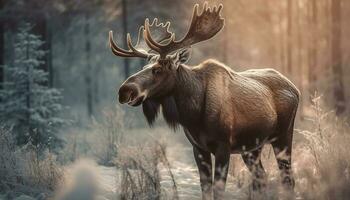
140, 175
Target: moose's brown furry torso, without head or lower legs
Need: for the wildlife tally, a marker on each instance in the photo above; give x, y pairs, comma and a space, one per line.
218, 98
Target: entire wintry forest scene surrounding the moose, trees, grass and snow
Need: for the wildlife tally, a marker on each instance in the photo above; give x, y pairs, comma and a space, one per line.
65, 136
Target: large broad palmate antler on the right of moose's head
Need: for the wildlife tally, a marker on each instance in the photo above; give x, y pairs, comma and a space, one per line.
203, 27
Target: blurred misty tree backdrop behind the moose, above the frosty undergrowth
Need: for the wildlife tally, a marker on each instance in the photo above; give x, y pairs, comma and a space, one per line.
305, 40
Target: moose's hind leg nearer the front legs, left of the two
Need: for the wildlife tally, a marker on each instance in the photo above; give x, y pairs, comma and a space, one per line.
253, 162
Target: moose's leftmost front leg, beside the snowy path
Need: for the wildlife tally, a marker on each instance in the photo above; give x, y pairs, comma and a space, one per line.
203, 160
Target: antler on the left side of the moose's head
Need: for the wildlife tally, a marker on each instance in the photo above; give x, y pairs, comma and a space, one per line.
163, 34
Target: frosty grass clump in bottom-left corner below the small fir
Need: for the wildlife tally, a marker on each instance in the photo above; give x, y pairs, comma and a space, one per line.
24, 171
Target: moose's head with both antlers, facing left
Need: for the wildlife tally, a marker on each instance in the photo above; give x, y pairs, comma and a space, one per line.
158, 78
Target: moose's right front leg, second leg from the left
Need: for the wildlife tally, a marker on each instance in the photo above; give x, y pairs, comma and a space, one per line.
222, 159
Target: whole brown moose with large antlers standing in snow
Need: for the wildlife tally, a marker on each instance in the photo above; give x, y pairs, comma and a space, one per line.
222, 111
